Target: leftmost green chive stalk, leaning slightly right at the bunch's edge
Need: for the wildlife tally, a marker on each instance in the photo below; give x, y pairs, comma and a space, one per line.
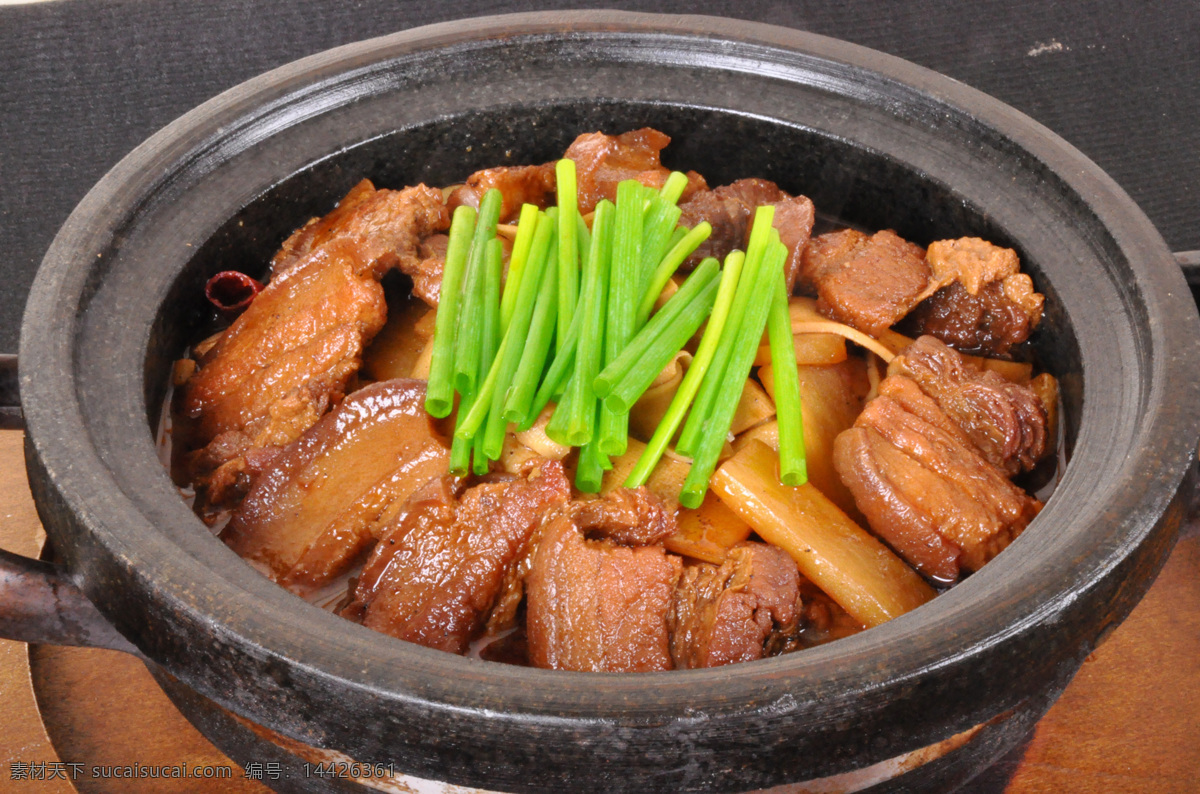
440, 392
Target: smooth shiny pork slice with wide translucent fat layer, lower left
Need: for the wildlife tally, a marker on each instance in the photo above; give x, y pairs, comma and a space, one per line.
327, 497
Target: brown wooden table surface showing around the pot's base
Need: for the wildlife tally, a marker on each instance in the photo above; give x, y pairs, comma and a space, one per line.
1129, 724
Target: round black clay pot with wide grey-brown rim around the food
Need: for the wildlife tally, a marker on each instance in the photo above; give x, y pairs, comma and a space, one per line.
872, 140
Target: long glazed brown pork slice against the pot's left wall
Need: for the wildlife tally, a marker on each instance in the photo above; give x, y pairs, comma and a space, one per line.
279, 368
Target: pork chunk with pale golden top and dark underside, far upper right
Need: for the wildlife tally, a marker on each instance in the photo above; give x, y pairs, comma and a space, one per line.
977, 300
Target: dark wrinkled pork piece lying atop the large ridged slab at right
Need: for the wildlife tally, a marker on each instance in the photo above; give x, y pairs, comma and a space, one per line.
1005, 420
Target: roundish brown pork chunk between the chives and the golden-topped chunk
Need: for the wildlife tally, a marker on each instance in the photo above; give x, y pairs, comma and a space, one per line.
867, 282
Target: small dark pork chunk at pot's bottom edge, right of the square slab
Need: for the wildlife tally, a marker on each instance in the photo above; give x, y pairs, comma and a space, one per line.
736, 612
